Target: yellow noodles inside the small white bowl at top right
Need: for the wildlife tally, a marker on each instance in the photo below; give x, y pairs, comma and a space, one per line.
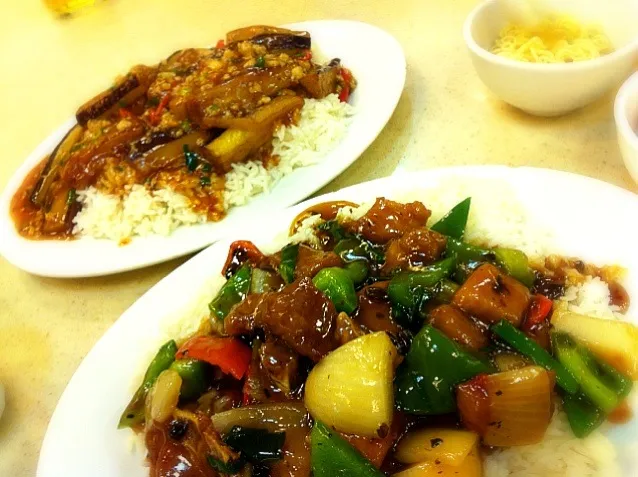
557, 39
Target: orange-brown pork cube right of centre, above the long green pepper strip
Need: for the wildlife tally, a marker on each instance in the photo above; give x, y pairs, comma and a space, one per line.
490, 295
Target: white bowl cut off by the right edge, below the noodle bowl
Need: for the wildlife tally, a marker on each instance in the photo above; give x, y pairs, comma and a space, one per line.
626, 115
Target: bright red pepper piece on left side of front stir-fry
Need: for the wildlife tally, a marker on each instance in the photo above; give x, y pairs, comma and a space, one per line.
230, 355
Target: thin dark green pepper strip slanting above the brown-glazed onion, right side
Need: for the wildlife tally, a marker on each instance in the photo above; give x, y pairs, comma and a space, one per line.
528, 347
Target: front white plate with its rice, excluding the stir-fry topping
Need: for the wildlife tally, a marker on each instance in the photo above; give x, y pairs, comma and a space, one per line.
536, 210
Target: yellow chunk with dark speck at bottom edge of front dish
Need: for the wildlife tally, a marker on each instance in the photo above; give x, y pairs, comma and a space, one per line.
448, 446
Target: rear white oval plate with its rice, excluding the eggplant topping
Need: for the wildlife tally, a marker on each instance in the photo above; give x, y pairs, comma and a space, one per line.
330, 136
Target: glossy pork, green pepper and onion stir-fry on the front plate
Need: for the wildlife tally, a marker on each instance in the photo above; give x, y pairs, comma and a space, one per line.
384, 346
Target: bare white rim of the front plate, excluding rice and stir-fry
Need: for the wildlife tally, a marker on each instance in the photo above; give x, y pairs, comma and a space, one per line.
591, 219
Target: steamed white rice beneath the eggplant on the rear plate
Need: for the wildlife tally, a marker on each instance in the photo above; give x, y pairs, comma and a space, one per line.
323, 124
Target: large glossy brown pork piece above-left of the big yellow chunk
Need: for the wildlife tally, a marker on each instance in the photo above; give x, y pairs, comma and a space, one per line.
298, 315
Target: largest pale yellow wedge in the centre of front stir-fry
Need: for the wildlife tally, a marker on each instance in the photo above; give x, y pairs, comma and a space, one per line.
351, 390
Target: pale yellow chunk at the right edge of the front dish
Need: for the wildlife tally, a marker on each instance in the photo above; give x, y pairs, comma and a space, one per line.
615, 342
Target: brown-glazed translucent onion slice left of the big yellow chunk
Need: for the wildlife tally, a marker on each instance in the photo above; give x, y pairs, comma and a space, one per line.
271, 417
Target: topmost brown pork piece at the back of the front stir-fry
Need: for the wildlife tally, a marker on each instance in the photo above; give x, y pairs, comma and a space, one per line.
388, 220
